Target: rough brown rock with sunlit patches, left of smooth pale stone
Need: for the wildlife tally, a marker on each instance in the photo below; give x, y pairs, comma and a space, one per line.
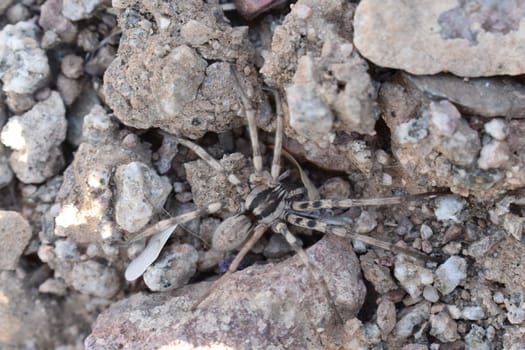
86, 196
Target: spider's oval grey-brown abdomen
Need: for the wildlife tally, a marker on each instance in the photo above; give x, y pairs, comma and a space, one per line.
231, 233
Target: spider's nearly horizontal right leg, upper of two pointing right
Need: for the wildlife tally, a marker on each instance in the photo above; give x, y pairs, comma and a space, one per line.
349, 202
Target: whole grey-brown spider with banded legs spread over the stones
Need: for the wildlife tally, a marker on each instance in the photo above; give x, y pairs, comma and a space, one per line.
268, 205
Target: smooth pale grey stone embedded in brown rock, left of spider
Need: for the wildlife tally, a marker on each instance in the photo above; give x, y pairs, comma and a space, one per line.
140, 194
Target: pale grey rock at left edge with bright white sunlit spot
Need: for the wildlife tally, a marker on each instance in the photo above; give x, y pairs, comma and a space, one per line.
36, 137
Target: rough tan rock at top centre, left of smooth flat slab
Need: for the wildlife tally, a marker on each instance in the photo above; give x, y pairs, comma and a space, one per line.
324, 80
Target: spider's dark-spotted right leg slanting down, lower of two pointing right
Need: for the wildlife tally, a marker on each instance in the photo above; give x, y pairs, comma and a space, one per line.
342, 231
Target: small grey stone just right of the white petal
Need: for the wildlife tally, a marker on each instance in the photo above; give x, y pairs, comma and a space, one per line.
173, 269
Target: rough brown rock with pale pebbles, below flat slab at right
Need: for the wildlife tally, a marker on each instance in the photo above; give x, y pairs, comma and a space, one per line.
436, 145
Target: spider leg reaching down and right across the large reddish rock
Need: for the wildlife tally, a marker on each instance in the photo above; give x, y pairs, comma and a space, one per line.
281, 228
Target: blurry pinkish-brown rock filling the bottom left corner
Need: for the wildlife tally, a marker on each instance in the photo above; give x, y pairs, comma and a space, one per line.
29, 321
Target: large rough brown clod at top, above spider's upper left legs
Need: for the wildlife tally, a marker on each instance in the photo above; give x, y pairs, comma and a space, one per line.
173, 69
